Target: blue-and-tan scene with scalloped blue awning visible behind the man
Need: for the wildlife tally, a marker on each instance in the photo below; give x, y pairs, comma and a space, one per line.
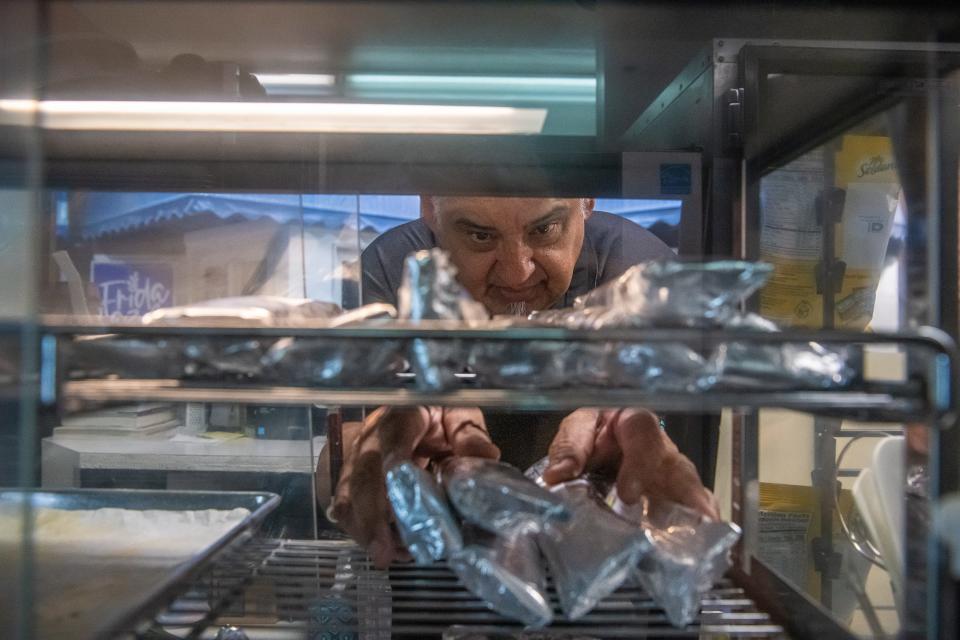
123, 254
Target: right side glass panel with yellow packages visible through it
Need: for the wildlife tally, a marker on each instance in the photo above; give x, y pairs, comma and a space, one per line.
838, 213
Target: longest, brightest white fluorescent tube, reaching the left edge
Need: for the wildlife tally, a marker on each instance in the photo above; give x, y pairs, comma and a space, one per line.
292, 117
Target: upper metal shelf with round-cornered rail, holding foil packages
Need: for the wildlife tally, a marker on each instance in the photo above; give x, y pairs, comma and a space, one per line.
926, 395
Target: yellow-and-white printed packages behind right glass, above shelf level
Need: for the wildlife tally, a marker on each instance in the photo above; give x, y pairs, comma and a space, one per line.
791, 238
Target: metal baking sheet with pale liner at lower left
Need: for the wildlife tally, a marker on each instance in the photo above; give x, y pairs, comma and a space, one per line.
109, 587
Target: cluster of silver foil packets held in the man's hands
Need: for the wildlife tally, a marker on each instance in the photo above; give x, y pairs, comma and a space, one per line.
501, 532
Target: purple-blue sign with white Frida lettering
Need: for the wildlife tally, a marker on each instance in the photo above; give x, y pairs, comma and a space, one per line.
132, 288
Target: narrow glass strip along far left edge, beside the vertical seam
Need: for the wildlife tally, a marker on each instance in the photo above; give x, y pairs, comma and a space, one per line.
20, 162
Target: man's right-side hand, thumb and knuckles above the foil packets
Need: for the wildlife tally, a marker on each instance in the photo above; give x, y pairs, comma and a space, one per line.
630, 443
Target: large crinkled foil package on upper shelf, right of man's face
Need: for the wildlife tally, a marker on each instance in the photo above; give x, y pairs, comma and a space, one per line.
674, 293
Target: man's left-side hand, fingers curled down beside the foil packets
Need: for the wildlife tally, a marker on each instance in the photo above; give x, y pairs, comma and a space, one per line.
388, 436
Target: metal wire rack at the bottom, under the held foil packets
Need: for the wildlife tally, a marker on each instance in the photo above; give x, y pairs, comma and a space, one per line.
280, 589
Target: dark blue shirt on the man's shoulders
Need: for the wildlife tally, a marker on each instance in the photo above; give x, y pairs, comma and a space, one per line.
611, 245
